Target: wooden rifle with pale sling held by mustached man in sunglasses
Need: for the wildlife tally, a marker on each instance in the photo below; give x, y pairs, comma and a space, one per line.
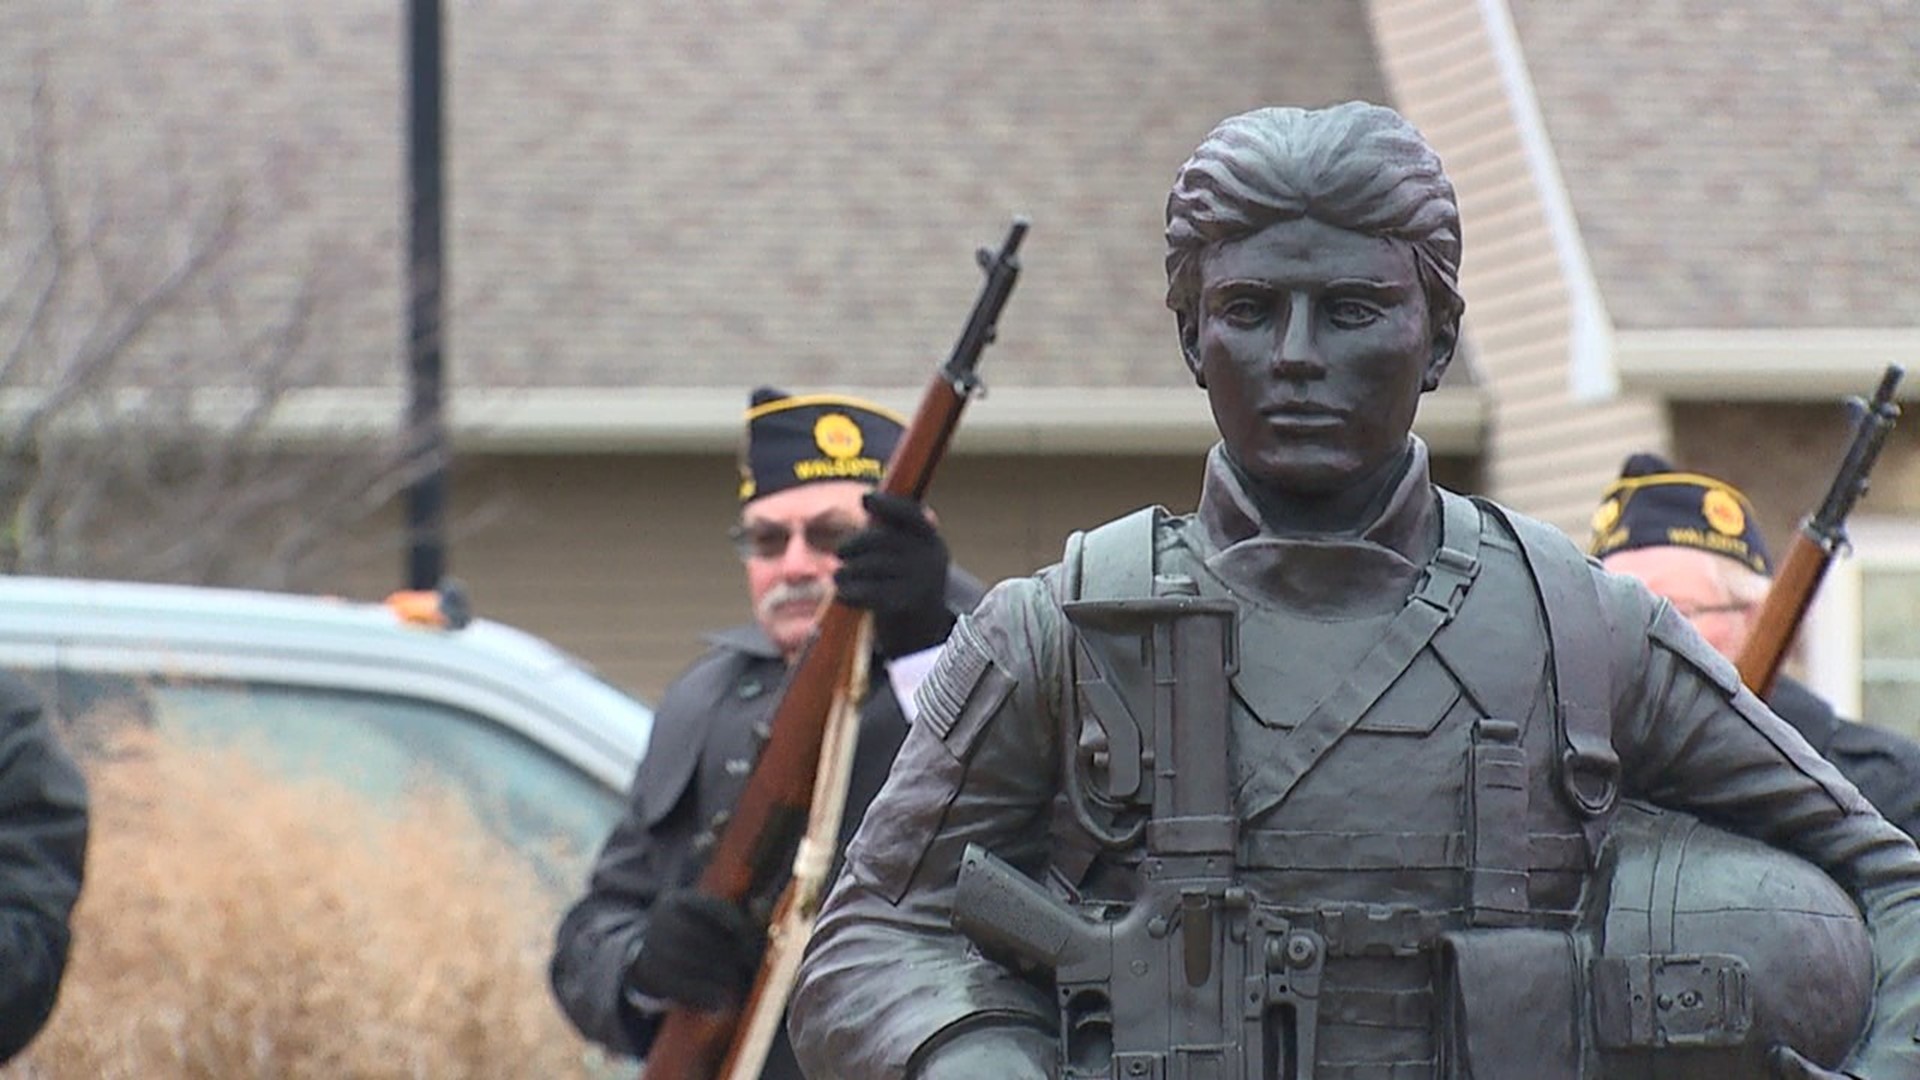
775, 850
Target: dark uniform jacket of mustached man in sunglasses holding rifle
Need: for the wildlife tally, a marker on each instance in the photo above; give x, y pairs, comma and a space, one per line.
698, 760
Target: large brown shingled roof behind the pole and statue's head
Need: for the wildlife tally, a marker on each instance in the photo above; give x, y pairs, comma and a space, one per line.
702, 195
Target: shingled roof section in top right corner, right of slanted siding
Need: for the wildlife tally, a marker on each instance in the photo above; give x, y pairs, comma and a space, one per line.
1746, 164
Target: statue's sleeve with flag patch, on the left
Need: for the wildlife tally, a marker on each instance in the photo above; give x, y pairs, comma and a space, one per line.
886, 973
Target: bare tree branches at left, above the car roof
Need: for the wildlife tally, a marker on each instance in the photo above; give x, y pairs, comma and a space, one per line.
147, 378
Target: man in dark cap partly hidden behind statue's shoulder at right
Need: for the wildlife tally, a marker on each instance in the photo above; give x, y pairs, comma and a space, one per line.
1694, 541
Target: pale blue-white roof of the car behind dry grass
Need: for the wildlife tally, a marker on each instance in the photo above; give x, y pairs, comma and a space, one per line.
489, 668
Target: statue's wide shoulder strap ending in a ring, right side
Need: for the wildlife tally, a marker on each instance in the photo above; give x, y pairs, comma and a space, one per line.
1581, 656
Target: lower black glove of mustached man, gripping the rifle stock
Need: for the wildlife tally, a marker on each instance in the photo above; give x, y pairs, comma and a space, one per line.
700, 950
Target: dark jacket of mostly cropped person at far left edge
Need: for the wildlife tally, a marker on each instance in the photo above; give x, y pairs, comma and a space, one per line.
43, 852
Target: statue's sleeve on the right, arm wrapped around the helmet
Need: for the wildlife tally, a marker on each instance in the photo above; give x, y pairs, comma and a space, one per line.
1691, 737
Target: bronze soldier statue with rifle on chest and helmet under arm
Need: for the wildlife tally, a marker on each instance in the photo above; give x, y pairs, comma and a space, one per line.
1347, 775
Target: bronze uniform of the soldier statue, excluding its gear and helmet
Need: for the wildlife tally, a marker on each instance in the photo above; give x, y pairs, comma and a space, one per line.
1370, 848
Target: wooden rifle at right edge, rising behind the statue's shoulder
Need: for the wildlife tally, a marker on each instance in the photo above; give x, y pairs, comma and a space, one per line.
1819, 539
